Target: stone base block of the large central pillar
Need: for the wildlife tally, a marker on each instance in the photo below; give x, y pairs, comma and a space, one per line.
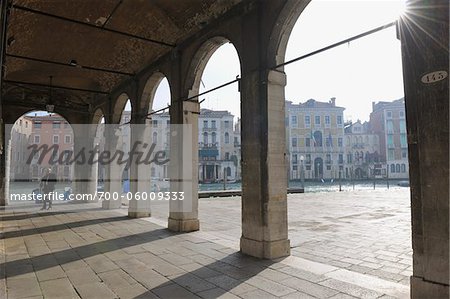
266, 249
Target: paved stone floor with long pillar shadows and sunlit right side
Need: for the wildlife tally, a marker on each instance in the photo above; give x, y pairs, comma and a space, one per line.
344, 245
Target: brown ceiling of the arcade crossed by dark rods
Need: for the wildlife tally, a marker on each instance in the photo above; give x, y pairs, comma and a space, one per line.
85, 48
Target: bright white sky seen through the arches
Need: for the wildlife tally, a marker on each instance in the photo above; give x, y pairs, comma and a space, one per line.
356, 74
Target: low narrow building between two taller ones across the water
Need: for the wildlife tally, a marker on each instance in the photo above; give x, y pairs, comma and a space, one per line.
362, 152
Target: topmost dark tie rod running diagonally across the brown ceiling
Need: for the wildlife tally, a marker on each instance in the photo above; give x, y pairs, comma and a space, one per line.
129, 35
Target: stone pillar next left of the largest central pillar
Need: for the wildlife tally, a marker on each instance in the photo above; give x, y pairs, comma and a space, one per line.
183, 169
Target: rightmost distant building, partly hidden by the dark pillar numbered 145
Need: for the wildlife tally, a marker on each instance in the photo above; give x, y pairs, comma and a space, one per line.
387, 120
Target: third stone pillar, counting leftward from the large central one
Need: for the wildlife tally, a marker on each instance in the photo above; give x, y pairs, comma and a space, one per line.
140, 175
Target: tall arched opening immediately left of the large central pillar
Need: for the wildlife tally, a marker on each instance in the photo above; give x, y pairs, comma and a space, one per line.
219, 119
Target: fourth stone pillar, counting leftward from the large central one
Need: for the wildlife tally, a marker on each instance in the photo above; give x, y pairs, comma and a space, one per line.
113, 171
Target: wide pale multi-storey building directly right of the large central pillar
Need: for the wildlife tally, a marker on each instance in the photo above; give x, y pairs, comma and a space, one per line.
315, 139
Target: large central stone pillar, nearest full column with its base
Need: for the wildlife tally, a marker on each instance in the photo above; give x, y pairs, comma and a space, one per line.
264, 177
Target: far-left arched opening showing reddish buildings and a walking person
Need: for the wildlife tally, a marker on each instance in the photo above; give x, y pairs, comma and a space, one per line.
38, 143
